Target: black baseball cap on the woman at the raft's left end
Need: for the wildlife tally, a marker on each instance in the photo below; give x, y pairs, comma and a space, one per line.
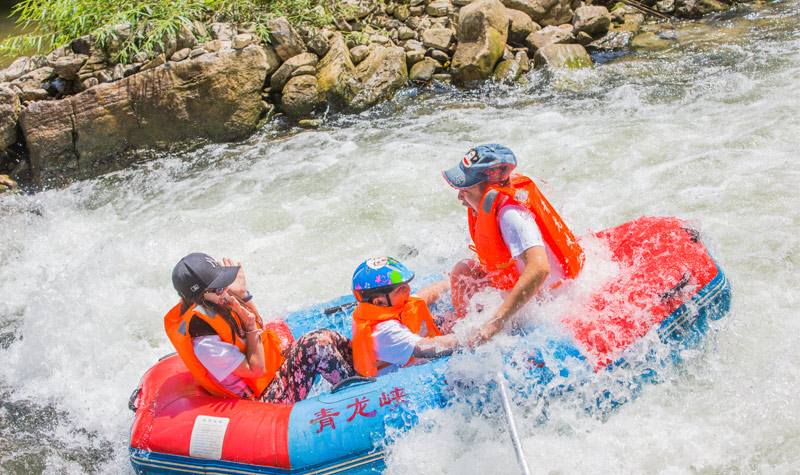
198, 272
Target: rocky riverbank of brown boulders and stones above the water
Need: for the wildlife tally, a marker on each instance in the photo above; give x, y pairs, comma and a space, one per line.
75, 113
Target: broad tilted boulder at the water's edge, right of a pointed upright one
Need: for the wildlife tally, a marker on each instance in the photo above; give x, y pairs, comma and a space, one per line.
379, 76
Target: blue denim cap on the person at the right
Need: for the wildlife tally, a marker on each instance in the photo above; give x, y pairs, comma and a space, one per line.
490, 162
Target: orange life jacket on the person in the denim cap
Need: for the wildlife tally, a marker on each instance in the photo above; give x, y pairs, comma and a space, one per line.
484, 227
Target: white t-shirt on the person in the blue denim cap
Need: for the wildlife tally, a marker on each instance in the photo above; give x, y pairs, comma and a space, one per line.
520, 233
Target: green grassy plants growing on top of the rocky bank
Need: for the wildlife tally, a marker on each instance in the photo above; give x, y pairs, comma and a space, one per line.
50, 24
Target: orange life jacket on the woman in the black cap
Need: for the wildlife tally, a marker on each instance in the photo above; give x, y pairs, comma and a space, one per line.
176, 323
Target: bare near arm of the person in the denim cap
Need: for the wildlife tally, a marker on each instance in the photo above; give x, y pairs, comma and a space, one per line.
530, 281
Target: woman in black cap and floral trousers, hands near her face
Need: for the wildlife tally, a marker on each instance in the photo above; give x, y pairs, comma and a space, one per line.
218, 332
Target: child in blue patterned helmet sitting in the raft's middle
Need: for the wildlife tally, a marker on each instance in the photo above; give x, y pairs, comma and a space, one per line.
391, 327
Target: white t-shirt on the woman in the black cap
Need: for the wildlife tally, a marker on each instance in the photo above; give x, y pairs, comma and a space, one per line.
220, 359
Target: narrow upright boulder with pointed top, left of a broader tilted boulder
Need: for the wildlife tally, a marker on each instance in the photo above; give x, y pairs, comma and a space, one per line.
335, 73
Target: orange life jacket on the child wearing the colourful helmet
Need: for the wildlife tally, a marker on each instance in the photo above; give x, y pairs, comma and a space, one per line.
366, 316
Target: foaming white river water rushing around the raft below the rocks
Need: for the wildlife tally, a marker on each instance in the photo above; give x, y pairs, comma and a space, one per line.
708, 130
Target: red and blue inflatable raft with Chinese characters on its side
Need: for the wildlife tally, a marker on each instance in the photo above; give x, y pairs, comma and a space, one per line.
669, 290
